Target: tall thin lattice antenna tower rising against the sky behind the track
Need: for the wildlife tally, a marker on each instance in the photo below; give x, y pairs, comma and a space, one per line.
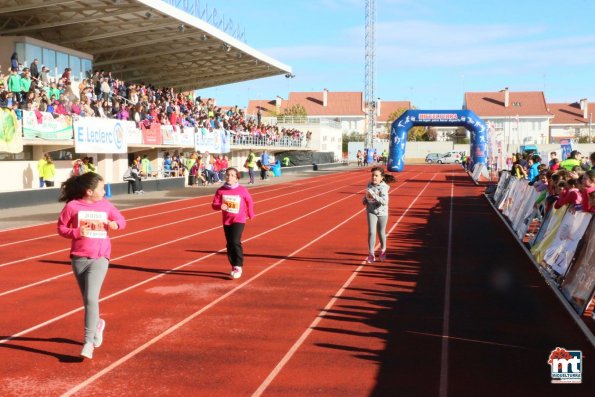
370, 101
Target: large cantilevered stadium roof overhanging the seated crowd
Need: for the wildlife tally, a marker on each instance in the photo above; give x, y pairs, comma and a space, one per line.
141, 40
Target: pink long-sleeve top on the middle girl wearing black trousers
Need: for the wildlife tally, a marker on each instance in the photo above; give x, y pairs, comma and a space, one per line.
239, 204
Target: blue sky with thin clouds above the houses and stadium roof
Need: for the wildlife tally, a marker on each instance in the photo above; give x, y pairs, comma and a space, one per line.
427, 51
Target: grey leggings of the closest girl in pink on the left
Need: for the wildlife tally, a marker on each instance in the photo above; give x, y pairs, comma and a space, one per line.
90, 274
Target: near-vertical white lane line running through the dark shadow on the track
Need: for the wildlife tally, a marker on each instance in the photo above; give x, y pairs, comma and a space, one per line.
446, 314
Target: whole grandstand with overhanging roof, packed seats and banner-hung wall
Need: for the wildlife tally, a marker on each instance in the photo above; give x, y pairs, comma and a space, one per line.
127, 68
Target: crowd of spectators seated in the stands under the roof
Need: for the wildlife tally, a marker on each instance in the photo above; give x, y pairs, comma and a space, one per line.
102, 95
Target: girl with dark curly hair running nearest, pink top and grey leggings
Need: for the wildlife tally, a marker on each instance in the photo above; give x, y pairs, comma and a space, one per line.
86, 219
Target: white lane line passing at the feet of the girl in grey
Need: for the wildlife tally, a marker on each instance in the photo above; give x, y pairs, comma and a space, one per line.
273, 374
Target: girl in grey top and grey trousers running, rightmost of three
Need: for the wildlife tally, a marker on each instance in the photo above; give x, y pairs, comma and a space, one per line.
376, 202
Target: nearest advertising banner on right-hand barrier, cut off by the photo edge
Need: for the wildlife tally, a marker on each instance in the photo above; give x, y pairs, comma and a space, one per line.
579, 284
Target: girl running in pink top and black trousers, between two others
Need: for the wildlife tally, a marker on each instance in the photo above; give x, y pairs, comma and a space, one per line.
235, 203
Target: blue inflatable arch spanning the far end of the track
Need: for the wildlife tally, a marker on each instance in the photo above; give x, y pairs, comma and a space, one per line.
442, 118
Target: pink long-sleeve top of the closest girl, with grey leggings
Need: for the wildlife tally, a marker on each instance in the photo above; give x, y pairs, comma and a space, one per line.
97, 214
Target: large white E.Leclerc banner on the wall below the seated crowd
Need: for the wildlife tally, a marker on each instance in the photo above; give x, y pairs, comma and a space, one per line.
97, 135
